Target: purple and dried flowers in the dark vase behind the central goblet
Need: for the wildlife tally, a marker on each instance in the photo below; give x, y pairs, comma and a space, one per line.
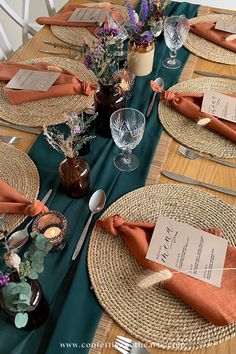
100, 57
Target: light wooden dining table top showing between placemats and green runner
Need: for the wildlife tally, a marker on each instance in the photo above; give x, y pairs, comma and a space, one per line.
166, 157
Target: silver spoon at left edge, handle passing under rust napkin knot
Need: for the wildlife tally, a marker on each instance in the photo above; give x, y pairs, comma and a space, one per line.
18, 238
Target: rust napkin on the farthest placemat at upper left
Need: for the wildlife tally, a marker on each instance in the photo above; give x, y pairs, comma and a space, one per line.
61, 19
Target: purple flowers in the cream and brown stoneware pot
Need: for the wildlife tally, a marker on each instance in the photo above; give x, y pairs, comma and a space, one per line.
143, 28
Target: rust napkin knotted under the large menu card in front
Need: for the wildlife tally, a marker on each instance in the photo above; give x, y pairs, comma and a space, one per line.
217, 305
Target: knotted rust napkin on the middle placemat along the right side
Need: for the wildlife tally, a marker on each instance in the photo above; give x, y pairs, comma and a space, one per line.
189, 104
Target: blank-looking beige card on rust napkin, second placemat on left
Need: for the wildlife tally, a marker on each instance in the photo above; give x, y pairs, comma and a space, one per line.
33, 80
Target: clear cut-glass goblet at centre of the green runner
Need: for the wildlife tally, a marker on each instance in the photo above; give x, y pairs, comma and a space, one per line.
127, 128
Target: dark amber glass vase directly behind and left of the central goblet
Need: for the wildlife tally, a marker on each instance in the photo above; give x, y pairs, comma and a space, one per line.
107, 99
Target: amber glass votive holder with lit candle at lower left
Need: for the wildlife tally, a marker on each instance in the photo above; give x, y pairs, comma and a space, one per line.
52, 225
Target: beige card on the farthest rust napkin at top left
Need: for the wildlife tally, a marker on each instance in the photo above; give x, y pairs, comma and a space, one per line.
88, 15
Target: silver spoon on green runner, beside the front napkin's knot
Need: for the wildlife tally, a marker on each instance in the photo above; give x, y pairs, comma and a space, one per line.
96, 203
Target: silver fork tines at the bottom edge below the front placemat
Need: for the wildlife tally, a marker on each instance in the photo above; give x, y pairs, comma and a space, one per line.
128, 346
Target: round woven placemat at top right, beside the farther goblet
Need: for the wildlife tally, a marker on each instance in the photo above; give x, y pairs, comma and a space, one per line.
206, 49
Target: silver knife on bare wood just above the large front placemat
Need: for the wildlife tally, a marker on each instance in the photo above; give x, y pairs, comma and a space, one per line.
188, 180
